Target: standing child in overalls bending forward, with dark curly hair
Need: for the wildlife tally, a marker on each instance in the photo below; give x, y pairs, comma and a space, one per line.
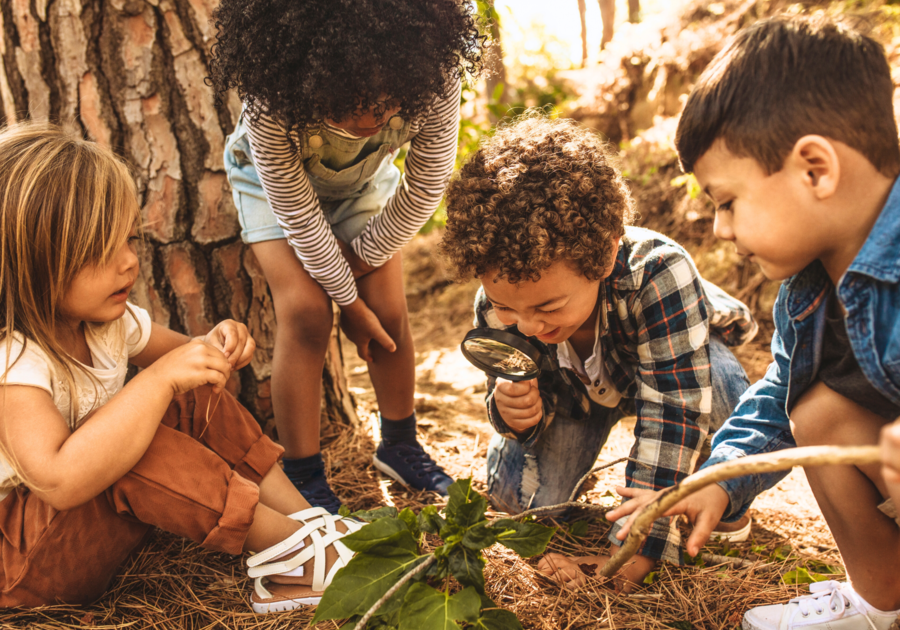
331, 90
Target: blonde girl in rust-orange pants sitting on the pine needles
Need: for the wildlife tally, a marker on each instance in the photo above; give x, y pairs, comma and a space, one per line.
90, 464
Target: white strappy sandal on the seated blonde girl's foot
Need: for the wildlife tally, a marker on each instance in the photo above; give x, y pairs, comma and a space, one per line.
319, 527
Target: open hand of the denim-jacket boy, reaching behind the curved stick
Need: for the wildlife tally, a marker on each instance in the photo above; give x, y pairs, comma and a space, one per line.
704, 510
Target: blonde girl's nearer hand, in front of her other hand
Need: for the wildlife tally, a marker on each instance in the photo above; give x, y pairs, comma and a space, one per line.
191, 365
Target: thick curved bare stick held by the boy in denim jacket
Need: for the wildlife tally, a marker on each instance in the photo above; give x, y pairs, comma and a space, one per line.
750, 465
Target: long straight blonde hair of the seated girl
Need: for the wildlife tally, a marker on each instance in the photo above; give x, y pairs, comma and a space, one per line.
65, 204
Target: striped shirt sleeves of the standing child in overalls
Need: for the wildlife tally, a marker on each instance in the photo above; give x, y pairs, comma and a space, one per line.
295, 204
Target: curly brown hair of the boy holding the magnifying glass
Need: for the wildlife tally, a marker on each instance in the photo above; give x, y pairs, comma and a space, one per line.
537, 192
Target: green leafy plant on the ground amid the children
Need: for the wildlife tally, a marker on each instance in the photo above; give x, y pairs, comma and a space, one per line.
390, 572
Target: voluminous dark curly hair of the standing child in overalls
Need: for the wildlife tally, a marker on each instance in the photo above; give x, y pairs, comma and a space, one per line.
302, 61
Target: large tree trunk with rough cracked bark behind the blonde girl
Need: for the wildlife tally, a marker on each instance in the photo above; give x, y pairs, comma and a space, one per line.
129, 74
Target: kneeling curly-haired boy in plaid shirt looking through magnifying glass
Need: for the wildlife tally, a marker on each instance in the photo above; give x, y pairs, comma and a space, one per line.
539, 215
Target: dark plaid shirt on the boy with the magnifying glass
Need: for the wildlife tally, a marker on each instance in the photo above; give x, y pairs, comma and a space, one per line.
656, 315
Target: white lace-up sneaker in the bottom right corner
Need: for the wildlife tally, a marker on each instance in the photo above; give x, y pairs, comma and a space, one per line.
829, 606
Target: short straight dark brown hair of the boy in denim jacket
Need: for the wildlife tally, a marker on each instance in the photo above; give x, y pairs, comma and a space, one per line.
786, 77
